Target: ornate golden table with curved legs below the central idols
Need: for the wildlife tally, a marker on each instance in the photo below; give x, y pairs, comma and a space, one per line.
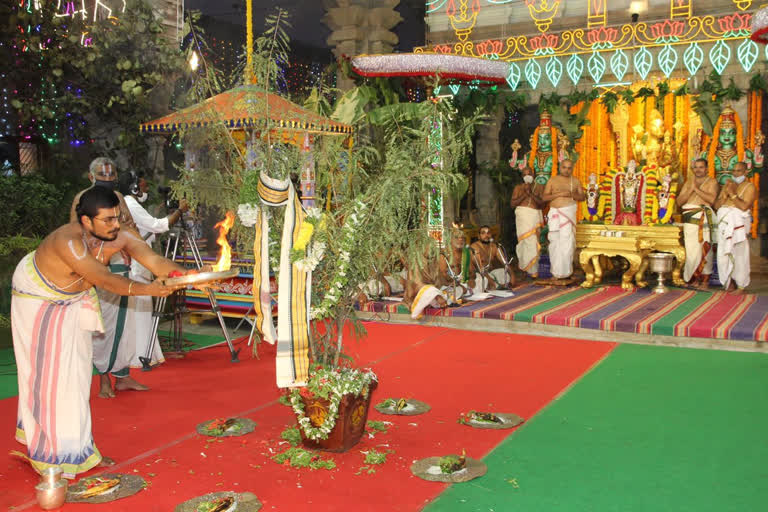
633, 243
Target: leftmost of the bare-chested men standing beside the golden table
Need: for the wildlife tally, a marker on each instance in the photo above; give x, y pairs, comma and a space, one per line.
527, 202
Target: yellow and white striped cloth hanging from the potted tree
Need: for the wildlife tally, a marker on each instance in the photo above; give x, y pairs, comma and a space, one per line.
294, 285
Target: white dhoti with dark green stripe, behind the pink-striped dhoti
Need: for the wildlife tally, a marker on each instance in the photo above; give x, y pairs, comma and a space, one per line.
114, 349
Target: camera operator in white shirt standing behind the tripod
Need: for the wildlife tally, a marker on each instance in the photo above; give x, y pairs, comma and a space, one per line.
138, 318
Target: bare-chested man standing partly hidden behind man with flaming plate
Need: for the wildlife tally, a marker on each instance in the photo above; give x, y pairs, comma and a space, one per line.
111, 353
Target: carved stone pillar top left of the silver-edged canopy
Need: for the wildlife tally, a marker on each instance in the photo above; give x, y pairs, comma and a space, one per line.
361, 26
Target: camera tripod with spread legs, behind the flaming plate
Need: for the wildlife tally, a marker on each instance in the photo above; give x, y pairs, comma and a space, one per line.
176, 235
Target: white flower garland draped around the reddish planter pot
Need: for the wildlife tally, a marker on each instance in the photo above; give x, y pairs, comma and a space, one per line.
329, 384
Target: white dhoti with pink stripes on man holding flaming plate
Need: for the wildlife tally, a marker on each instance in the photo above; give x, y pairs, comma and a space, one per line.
52, 344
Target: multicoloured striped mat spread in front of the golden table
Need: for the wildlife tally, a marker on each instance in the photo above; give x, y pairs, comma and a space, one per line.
679, 312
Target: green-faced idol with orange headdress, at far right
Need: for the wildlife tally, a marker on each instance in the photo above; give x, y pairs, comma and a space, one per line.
727, 148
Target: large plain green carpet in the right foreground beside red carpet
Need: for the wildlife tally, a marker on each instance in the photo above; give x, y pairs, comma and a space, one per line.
649, 429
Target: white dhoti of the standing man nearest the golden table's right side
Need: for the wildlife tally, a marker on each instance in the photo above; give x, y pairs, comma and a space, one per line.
698, 240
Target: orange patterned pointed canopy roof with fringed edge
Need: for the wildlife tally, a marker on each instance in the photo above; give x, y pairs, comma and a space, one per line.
243, 107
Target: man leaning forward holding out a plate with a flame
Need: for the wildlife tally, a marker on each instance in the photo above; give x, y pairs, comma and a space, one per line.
54, 310
